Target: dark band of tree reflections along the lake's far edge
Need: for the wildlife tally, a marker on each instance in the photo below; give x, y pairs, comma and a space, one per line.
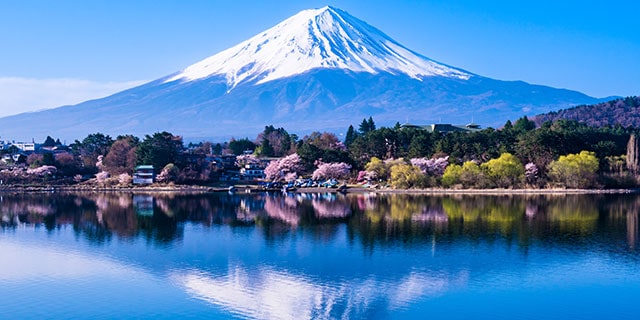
374, 219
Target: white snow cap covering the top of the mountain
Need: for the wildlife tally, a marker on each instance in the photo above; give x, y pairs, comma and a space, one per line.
317, 38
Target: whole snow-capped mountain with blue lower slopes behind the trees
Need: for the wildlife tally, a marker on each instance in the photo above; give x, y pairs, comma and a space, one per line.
321, 69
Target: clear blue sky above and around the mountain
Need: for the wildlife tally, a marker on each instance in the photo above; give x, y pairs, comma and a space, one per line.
68, 51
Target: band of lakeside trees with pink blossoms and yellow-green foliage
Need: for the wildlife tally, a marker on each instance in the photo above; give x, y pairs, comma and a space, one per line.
559, 154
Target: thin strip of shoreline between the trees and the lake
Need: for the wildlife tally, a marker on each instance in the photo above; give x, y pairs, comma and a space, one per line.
239, 189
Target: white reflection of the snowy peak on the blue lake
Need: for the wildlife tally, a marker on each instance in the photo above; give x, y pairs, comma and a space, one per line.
266, 293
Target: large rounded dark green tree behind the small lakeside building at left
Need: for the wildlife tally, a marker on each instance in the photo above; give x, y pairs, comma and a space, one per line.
160, 149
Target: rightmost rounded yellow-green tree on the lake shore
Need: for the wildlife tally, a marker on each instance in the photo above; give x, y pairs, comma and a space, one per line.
575, 170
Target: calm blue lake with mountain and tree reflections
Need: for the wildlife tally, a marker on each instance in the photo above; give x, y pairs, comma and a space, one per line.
320, 256
